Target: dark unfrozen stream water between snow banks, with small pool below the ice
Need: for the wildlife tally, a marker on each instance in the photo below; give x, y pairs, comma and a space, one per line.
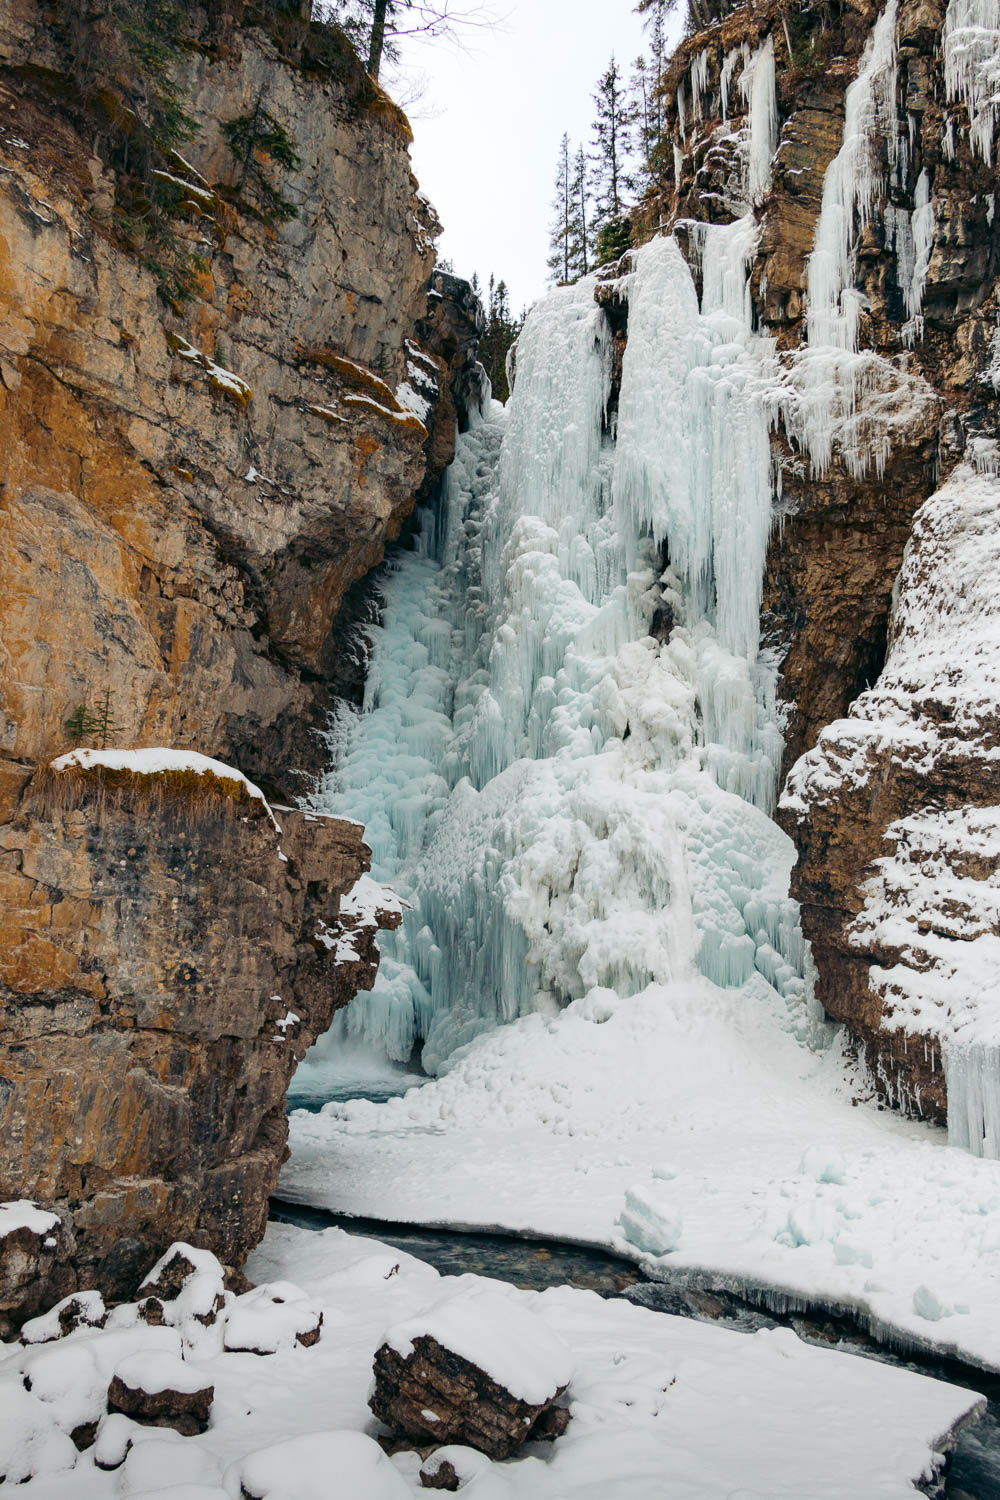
974, 1472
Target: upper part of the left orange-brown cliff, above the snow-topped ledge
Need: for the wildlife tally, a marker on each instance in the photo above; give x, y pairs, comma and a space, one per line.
199, 487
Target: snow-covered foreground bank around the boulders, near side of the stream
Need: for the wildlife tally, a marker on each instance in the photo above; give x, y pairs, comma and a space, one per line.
663, 1409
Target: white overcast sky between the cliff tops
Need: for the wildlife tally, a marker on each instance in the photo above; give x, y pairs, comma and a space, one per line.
488, 157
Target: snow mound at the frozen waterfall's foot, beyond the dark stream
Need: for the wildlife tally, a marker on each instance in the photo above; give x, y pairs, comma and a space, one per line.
728, 1138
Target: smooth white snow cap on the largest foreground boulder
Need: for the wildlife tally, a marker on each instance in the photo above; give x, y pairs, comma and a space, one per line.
499, 1336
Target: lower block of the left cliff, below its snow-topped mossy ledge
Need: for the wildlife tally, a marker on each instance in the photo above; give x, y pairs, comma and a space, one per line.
167, 956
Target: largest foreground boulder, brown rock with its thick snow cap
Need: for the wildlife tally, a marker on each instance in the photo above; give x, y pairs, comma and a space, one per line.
478, 1370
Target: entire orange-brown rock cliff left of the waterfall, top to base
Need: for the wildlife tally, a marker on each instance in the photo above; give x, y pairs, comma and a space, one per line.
194, 482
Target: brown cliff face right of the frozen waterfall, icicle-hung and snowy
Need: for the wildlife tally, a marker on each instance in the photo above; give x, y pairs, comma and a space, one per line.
924, 403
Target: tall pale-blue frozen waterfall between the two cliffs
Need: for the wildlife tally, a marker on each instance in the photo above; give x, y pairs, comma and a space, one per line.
570, 805
